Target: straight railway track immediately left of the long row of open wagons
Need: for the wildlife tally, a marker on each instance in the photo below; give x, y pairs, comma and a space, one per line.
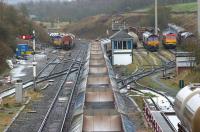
58, 110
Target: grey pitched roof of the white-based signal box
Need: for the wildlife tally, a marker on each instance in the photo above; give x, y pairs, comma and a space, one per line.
120, 35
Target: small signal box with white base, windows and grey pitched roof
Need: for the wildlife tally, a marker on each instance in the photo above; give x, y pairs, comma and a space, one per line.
122, 48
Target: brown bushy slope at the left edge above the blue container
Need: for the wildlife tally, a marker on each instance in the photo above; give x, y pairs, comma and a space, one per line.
13, 23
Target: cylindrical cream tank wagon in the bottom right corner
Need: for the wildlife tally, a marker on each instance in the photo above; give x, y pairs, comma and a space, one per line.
187, 107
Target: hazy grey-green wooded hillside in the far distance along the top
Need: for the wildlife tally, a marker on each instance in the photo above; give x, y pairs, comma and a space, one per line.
76, 10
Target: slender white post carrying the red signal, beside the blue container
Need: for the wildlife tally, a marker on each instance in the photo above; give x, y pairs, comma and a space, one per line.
34, 63
